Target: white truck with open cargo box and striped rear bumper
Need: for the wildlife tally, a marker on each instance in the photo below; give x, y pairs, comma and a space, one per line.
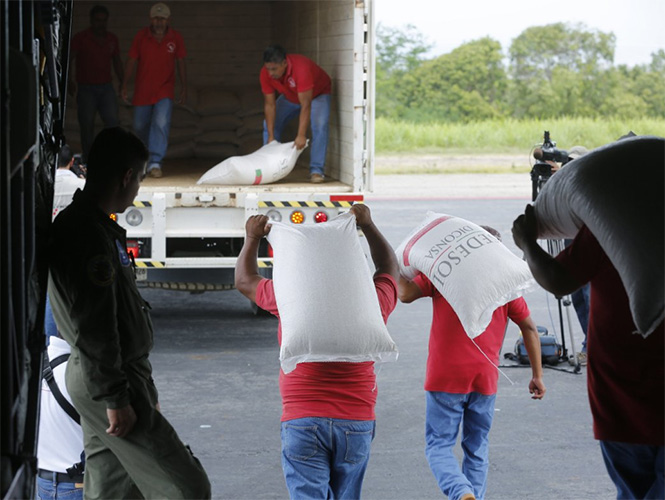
186, 236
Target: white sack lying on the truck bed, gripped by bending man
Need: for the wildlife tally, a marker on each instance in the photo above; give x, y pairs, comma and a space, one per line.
271, 163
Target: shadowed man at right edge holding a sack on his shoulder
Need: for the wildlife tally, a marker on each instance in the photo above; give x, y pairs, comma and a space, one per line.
626, 374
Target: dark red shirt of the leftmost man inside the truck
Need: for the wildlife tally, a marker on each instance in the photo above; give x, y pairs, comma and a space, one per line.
94, 57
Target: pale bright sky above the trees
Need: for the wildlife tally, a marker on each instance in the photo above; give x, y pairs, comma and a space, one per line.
637, 24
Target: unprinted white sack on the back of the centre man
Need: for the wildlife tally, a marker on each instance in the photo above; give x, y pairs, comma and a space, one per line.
327, 302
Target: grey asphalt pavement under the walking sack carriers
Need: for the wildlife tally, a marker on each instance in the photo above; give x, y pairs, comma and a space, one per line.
216, 366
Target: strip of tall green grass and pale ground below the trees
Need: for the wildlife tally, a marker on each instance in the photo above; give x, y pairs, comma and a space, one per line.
491, 146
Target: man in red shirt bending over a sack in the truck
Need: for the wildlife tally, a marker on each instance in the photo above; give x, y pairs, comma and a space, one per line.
304, 90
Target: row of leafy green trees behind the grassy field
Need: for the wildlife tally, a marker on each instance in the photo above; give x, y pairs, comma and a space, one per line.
552, 71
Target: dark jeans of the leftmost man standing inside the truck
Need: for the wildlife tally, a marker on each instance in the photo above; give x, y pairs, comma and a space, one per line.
91, 99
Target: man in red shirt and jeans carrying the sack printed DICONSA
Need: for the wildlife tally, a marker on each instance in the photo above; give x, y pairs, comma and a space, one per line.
461, 383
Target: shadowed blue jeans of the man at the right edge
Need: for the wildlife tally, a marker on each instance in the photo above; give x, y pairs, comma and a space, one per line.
635, 469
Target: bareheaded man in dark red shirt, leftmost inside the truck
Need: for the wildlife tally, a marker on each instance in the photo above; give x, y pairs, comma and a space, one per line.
92, 53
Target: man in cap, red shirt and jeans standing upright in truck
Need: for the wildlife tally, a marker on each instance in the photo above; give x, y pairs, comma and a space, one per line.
154, 53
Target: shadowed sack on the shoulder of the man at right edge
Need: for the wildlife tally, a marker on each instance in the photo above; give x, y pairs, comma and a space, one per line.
617, 192
